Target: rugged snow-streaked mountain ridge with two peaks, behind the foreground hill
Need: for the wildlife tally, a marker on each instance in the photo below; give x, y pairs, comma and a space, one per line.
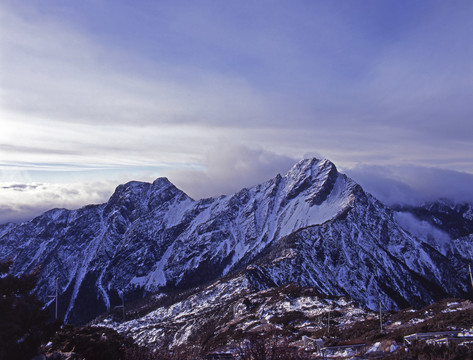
325, 230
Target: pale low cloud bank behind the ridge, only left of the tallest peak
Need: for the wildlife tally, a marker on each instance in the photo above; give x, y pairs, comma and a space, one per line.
226, 169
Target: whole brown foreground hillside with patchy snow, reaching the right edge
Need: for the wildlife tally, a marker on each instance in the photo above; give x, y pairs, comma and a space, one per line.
228, 317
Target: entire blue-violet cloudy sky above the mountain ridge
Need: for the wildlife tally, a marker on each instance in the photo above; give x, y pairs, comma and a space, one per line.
218, 95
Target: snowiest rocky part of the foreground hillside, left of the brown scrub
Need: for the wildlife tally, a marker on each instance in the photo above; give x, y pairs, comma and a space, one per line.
224, 313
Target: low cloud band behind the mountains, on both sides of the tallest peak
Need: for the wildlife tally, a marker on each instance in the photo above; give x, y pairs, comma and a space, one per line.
226, 169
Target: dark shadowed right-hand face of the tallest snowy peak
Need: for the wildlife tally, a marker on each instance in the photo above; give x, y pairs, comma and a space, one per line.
367, 256
